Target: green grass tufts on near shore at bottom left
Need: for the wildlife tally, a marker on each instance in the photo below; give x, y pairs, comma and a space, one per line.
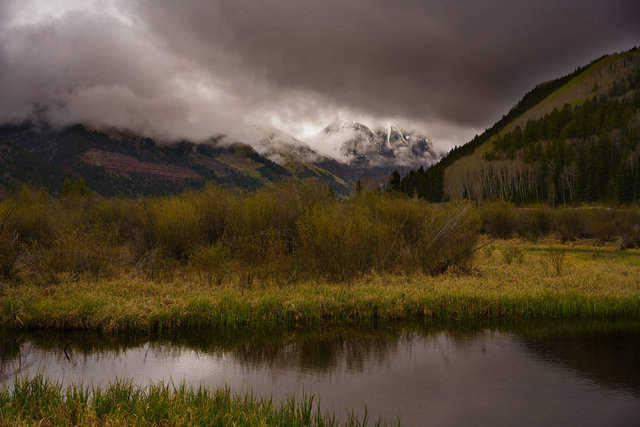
39, 402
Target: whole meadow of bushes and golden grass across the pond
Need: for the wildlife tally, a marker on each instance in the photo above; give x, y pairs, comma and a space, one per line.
296, 254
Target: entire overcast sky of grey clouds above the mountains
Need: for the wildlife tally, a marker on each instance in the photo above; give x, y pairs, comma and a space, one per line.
193, 69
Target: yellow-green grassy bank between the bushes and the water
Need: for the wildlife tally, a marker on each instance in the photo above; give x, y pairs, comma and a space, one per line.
511, 280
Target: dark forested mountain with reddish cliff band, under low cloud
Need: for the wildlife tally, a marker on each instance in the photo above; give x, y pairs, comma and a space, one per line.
122, 163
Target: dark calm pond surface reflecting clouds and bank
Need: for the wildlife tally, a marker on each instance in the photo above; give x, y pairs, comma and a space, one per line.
569, 373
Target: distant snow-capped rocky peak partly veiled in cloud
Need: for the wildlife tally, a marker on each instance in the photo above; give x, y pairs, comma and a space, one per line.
376, 151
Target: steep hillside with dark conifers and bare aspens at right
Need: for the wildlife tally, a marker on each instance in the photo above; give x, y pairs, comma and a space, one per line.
571, 140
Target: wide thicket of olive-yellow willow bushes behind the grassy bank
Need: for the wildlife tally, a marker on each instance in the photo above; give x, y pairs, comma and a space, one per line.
281, 231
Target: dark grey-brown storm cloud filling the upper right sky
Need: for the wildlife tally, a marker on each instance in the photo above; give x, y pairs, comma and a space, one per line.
461, 61
